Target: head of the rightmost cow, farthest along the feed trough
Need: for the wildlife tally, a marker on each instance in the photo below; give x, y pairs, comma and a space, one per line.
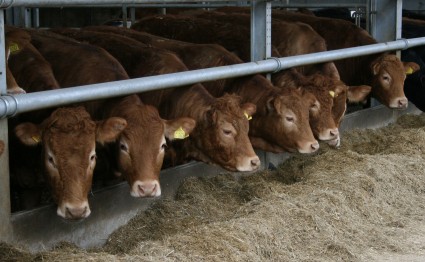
388, 75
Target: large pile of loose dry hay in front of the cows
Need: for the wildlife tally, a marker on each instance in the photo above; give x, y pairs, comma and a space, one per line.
362, 202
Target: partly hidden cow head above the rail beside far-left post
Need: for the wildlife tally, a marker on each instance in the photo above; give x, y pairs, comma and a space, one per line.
12, 43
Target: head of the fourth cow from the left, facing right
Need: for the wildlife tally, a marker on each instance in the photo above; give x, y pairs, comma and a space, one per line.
284, 122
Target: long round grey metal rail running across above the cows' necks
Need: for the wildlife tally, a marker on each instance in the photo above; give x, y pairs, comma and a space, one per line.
11, 105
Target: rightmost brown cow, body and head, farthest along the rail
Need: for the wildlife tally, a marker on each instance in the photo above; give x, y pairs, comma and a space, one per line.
384, 72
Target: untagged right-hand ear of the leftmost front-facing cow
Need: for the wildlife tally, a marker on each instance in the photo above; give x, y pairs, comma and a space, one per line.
108, 130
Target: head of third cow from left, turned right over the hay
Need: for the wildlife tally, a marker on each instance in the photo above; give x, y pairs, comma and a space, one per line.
222, 135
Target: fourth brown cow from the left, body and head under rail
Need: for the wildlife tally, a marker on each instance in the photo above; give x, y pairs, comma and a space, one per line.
270, 129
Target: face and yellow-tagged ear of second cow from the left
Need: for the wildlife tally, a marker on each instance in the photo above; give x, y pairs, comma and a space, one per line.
142, 145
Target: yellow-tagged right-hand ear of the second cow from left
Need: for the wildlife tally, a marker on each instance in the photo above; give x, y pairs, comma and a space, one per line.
179, 128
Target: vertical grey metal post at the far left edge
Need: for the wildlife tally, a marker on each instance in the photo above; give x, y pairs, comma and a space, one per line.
5, 211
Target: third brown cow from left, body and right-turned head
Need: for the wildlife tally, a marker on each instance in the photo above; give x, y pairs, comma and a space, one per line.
221, 133
